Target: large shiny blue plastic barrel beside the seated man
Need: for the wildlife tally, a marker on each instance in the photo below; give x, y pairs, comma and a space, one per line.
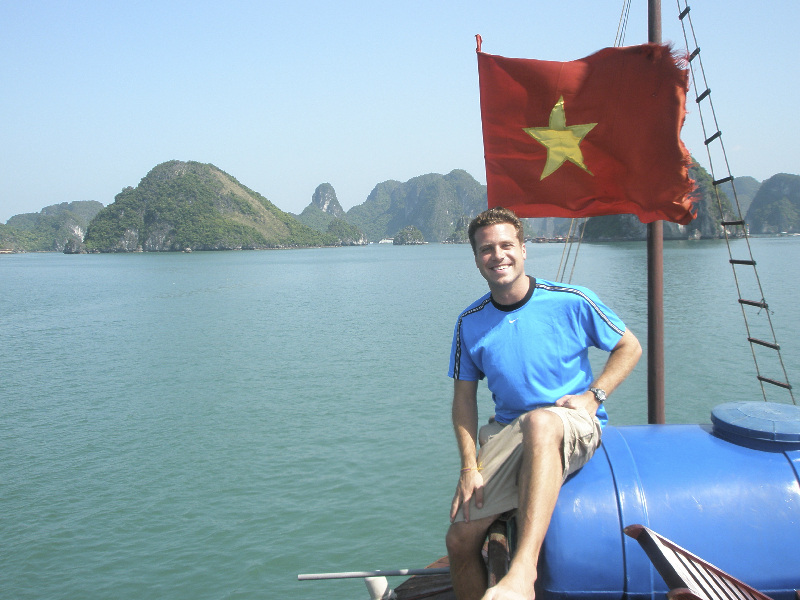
727, 492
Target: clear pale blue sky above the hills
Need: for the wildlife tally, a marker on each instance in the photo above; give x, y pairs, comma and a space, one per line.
287, 95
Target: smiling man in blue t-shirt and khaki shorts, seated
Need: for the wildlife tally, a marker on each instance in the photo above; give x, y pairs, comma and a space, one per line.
530, 339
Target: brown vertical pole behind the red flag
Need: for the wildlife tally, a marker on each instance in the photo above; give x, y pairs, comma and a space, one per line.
655, 278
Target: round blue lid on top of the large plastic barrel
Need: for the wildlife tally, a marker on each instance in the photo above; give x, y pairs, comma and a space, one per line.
758, 420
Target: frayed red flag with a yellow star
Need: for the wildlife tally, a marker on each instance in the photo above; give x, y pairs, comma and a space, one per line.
596, 136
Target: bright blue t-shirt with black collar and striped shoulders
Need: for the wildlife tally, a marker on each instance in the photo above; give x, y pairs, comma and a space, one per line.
536, 351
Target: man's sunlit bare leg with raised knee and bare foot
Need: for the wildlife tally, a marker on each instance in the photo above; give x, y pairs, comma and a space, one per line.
540, 480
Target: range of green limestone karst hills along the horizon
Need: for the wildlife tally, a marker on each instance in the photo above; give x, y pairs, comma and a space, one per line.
181, 206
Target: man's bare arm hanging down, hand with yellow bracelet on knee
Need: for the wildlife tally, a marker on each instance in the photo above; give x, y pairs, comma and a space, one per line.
465, 424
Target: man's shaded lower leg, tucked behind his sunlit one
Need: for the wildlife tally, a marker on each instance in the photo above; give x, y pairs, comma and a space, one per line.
467, 568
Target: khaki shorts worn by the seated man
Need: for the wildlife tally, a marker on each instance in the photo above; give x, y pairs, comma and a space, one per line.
500, 457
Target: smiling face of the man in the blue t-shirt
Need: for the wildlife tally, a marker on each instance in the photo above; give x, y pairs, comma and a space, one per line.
499, 255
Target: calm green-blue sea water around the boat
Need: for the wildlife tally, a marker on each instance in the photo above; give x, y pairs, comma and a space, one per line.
209, 425
